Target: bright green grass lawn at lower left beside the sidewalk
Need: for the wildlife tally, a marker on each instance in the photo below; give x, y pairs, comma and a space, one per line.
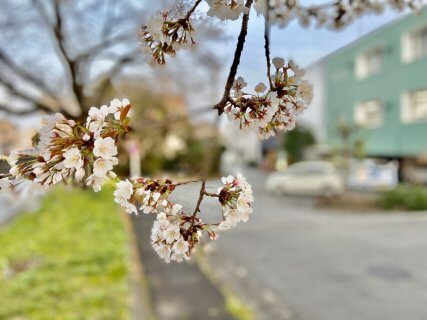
68, 260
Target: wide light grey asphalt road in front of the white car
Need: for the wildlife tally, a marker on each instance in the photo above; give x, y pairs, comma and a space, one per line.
331, 265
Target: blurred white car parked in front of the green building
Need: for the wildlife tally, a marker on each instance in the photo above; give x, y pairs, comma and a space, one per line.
307, 178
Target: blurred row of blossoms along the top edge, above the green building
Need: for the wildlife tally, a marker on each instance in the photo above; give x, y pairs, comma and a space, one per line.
335, 15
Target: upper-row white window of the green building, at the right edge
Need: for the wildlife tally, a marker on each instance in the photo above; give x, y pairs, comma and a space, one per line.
411, 45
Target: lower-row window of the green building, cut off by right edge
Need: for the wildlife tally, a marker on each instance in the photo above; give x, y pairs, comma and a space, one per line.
414, 106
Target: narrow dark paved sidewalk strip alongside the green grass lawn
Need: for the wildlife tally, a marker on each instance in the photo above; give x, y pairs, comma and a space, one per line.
179, 291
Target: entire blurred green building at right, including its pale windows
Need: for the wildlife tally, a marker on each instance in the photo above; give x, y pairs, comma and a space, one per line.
379, 84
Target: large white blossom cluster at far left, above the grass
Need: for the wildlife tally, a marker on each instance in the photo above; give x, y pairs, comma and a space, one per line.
67, 149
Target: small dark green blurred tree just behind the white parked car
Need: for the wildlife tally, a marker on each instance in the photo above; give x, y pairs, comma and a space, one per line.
296, 141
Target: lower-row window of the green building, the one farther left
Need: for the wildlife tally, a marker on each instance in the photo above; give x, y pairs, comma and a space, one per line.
369, 114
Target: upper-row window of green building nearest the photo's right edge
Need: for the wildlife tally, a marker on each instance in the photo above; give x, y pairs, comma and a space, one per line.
414, 45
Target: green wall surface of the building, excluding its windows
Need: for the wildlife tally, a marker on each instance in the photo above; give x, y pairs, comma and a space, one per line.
344, 91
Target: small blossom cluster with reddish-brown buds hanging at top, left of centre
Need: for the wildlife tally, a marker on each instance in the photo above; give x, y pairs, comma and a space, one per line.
163, 37
